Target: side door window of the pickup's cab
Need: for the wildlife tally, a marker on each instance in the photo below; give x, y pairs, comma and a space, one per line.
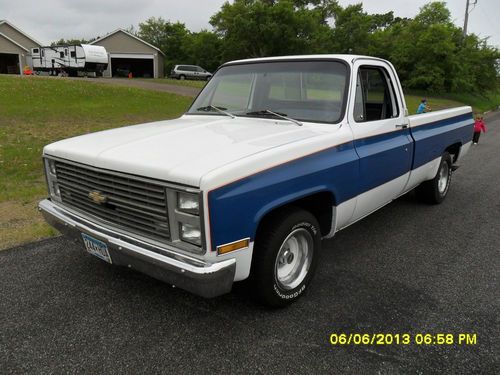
375, 96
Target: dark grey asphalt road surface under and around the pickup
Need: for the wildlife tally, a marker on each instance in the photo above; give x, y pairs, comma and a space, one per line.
407, 268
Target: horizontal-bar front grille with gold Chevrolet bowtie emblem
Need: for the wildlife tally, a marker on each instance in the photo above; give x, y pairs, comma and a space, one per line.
132, 203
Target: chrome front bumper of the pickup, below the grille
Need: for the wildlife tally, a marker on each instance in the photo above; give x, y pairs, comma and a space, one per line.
188, 273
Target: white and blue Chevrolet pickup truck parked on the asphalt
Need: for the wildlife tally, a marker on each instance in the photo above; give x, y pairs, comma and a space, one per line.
274, 155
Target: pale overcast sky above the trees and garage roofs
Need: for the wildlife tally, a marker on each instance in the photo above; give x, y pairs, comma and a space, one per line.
50, 20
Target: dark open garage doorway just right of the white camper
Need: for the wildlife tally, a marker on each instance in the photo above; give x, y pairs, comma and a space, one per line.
138, 65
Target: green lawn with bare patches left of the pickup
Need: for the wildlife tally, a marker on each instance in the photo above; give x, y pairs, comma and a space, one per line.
36, 111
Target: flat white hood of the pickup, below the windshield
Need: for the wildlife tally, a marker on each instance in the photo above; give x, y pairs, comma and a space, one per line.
180, 150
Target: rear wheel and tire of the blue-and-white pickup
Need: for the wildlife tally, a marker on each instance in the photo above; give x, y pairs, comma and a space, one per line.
434, 191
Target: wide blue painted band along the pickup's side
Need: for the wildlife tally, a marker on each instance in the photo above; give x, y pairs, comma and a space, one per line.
346, 171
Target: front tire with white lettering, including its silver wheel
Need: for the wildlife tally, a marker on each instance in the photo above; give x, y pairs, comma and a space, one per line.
285, 257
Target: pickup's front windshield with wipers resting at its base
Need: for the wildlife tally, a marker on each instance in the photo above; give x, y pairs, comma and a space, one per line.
302, 90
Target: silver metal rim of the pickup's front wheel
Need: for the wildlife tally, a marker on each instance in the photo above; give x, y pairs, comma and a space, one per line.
294, 259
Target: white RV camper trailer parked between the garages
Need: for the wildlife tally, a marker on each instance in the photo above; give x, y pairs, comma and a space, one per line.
70, 59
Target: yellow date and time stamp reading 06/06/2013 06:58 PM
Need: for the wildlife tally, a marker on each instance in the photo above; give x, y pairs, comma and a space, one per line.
342, 339
